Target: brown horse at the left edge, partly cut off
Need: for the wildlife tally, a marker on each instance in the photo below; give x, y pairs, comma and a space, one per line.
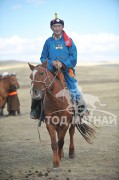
5, 84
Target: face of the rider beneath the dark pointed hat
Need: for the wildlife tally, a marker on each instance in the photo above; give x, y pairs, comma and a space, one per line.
57, 29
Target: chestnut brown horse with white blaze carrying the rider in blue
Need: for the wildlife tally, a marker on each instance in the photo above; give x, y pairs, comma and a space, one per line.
45, 86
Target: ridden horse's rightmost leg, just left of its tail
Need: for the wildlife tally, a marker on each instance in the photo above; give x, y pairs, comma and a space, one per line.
71, 146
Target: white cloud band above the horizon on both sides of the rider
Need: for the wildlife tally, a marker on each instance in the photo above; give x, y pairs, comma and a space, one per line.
91, 47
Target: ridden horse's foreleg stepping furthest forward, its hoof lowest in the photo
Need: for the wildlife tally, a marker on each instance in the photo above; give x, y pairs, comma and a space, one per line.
54, 145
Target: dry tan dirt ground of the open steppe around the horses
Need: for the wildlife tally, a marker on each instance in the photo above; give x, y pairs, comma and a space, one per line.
24, 157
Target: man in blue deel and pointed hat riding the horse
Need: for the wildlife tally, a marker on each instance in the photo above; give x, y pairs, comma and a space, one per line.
61, 53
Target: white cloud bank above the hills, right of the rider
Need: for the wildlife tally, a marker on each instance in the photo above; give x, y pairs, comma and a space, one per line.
97, 47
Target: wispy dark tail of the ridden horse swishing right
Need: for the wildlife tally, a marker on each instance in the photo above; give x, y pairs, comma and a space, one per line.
86, 131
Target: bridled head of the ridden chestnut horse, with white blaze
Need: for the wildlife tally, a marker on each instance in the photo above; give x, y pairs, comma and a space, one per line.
41, 80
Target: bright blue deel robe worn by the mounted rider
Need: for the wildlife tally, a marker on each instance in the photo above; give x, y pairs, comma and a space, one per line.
57, 50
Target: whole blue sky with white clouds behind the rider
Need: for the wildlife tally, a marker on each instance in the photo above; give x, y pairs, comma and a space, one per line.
92, 24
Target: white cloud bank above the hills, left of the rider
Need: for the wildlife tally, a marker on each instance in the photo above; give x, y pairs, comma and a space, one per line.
19, 48
